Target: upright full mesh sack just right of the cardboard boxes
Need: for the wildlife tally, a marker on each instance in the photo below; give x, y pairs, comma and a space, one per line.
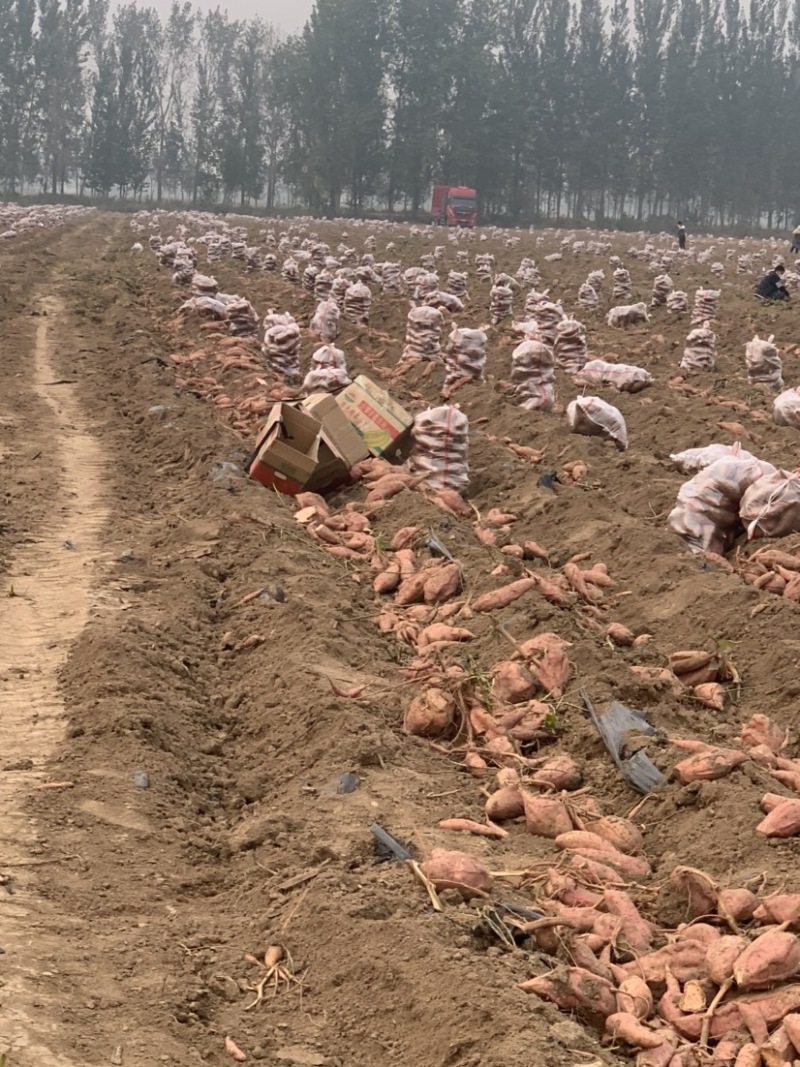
440, 451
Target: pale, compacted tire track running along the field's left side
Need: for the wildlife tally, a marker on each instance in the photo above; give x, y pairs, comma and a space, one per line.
46, 604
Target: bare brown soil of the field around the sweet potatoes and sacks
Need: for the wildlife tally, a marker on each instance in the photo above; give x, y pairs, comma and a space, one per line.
127, 912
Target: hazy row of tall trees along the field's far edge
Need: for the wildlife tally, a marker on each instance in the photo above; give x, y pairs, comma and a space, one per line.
551, 109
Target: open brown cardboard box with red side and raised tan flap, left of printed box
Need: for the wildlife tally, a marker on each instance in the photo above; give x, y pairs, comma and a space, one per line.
307, 448
